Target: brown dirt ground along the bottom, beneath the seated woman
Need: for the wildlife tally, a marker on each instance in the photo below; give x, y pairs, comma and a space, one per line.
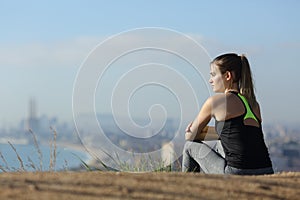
159, 185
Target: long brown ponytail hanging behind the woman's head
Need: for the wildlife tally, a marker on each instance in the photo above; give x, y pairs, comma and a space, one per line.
246, 82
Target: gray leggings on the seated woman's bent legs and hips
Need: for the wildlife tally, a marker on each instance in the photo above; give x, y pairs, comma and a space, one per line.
210, 158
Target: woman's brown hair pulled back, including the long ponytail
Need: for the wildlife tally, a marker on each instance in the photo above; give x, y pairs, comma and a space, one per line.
240, 68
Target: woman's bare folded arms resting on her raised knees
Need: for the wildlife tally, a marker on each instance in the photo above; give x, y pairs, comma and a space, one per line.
198, 129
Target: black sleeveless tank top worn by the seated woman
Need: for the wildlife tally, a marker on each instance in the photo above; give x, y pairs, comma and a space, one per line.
243, 145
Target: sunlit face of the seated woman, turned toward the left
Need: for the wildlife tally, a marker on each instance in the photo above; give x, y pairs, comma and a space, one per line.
216, 79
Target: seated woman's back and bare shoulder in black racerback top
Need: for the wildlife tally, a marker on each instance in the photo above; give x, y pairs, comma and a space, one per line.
241, 133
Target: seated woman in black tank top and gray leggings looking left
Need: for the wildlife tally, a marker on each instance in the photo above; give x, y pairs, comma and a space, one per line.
241, 148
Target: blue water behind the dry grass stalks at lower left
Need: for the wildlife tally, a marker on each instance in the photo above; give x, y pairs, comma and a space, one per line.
66, 158
